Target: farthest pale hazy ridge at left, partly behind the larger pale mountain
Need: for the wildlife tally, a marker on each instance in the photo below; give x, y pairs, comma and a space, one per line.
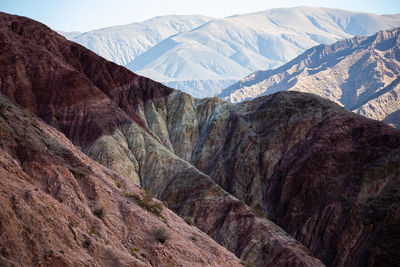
122, 44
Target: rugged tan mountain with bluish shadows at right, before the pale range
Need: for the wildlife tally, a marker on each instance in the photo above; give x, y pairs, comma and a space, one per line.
361, 73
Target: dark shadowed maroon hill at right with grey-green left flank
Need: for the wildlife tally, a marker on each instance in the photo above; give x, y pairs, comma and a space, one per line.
305, 163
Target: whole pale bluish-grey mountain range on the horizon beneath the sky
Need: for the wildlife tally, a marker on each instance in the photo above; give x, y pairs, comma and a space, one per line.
204, 59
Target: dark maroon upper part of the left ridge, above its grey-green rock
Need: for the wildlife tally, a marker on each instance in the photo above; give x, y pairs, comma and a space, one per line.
65, 84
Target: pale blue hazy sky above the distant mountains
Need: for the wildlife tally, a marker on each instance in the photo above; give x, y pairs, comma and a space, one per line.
84, 15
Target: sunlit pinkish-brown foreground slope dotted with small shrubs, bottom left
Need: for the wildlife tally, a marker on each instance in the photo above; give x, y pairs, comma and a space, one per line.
60, 208
